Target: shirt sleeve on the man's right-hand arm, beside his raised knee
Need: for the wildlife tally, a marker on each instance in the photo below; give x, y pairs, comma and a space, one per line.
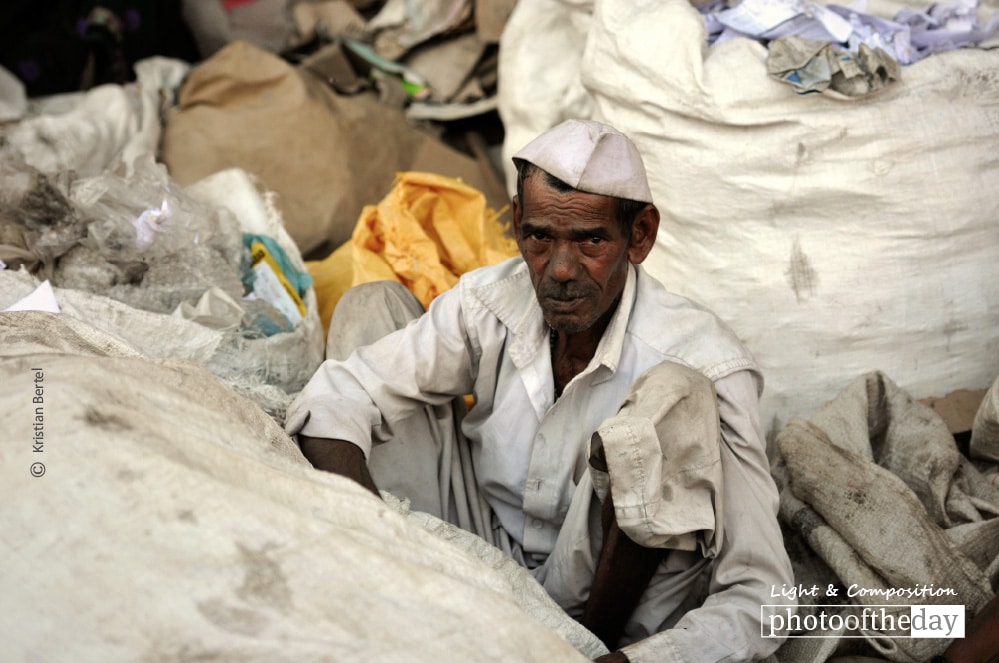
732, 624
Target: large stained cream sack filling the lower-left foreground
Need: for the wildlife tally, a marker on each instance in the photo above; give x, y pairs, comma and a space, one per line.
166, 518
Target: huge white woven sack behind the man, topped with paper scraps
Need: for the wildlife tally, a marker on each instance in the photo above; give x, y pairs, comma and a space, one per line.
836, 236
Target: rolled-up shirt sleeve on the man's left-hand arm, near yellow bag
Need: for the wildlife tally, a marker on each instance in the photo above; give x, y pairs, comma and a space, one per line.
428, 362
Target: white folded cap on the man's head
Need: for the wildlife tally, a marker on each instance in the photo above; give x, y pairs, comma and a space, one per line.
591, 157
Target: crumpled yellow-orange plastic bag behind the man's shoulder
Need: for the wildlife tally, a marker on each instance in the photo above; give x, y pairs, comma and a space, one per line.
425, 233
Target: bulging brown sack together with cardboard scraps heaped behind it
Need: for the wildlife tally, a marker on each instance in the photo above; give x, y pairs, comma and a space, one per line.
364, 90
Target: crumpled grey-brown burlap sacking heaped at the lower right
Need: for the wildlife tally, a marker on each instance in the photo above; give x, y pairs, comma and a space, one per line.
875, 485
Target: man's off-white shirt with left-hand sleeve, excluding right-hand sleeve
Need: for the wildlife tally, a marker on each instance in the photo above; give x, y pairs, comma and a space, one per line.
487, 337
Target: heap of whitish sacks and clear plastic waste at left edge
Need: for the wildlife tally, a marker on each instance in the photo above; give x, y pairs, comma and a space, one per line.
168, 269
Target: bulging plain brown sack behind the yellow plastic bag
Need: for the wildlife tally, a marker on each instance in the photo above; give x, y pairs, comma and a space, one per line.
324, 155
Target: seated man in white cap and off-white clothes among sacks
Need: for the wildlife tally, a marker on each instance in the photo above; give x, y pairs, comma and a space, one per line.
613, 446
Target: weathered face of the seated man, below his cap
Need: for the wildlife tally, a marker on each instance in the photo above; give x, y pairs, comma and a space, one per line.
575, 251
